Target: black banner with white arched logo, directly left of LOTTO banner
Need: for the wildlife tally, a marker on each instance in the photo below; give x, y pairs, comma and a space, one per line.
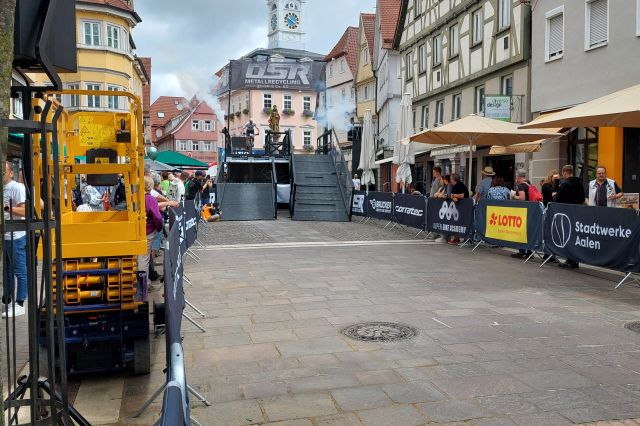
450, 218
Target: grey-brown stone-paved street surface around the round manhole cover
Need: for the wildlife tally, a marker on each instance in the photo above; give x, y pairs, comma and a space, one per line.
499, 342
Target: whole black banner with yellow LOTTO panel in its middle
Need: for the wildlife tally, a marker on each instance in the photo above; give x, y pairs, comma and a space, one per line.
515, 224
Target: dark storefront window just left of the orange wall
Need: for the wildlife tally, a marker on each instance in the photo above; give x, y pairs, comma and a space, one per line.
583, 153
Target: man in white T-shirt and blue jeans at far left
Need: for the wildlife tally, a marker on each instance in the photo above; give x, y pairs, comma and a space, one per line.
15, 246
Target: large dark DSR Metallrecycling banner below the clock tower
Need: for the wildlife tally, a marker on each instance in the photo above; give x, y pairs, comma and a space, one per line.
252, 74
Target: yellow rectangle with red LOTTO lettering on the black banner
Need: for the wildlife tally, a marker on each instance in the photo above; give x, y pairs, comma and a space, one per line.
507, 223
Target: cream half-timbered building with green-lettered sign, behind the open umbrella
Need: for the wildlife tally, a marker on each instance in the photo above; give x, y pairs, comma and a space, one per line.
457, 58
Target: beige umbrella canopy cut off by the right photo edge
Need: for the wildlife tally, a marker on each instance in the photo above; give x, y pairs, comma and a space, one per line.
619, 109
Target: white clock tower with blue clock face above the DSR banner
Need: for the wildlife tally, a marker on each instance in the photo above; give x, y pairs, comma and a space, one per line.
285, 24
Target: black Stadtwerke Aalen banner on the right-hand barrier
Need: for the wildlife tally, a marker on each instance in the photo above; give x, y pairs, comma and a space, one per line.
600, 236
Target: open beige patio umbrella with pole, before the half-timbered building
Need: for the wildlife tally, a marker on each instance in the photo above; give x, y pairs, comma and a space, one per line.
475, 130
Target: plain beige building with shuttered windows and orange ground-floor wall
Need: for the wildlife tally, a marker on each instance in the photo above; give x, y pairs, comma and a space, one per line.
582, 50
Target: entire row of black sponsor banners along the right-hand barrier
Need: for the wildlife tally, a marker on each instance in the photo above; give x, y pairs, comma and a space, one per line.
600, 236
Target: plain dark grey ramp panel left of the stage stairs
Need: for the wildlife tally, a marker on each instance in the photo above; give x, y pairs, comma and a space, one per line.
247, 201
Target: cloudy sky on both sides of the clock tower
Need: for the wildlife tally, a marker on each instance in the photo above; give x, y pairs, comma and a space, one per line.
188, 40
